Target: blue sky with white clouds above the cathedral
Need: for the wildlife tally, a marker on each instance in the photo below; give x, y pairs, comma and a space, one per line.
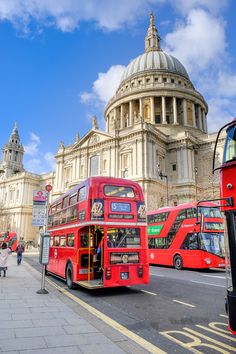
61, 60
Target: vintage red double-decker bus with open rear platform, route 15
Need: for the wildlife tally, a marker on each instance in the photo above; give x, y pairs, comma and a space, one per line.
106, 214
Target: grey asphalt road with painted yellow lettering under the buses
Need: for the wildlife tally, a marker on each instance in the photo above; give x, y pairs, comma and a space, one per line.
176, 311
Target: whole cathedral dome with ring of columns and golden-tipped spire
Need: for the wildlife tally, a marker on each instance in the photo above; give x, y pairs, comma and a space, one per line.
156, 87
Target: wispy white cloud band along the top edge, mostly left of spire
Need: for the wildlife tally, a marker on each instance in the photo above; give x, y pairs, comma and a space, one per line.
66, 15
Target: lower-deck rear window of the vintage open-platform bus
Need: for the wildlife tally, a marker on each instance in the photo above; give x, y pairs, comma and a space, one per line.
123, 238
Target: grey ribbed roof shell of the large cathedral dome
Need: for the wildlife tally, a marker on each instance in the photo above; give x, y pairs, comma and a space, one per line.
154, 60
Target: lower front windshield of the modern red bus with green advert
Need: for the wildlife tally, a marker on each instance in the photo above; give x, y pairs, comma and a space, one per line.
212, 243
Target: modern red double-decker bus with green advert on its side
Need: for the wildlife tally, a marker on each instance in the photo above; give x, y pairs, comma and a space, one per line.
175, 239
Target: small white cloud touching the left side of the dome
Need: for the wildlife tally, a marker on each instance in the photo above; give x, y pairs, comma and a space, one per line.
105, 86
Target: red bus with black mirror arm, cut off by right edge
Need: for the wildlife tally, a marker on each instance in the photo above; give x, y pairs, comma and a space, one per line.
228, 206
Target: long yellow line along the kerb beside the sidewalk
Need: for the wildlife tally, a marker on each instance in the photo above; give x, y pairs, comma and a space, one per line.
123, 330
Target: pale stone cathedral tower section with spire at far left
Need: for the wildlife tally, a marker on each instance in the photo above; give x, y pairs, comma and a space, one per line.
16, 190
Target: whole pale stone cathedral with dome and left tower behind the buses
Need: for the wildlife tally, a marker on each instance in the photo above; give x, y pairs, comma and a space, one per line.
156, 134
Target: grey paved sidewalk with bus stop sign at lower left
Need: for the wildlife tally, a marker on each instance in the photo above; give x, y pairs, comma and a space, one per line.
51, 323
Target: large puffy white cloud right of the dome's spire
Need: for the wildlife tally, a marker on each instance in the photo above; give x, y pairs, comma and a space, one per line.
198, 42
